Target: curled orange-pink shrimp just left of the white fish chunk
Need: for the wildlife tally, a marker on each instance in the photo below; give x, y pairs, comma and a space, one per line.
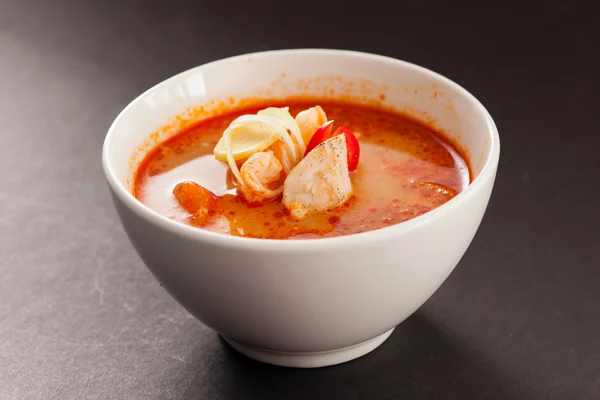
258, 174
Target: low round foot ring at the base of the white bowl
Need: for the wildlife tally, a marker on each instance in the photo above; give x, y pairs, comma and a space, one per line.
310, 360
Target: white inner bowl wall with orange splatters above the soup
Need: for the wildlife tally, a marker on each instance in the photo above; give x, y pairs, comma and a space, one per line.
328, 74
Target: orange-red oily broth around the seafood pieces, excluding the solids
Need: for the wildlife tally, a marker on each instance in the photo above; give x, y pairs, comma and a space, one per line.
405, 169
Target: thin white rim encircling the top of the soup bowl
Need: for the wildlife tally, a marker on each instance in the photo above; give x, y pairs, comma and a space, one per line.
229, 241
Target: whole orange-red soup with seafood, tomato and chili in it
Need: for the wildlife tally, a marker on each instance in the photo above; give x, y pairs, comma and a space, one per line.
301, 170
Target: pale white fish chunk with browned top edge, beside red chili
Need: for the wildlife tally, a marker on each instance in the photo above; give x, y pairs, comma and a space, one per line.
321, 181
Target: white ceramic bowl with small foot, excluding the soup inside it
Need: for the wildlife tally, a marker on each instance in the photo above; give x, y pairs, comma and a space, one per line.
303, 303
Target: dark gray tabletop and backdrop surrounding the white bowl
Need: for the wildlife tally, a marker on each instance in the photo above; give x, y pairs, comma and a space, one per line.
81, 317
